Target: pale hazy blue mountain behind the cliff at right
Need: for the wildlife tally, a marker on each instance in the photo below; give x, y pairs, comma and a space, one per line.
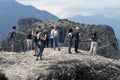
98, 19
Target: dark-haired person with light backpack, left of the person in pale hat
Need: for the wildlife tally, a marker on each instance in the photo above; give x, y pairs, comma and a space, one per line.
70, 37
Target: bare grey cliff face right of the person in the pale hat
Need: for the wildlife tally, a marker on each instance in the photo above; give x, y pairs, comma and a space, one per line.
107, 41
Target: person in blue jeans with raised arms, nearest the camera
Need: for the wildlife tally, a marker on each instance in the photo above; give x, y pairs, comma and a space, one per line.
41, 38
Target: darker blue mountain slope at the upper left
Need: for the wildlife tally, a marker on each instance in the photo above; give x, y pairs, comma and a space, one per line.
11, 11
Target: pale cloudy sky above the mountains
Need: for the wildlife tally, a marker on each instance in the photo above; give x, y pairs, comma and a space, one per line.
69, 8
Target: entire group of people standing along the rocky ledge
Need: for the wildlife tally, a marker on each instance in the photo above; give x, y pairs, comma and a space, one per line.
38, 38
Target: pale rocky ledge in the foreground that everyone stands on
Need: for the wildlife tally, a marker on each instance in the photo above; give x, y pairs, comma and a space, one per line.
58, 65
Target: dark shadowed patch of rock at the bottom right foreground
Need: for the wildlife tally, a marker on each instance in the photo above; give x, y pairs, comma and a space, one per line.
82, 70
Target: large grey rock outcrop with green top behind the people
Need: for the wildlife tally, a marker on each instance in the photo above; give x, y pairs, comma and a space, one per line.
107, 41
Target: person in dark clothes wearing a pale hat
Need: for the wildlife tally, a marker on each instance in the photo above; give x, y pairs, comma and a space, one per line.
76, 35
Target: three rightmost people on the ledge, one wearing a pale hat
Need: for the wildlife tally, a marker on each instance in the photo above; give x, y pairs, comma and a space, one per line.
74, 36
